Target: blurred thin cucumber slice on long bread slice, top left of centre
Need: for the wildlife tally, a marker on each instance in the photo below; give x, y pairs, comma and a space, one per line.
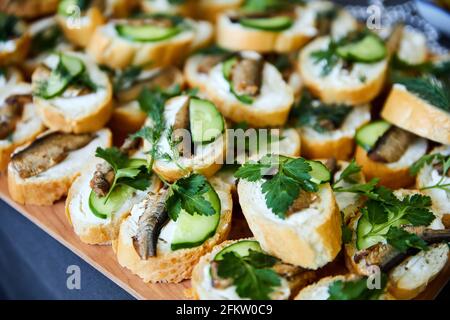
147, 33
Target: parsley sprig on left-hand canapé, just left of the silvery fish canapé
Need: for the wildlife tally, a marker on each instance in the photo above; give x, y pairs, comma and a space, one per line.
134, 174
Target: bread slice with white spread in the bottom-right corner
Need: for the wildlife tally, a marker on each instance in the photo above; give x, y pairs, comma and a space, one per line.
413, 275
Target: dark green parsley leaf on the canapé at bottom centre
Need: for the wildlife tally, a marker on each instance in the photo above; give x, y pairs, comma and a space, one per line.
250, 274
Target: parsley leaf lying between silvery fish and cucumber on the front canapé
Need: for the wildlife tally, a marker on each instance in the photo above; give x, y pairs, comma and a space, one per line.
188, 194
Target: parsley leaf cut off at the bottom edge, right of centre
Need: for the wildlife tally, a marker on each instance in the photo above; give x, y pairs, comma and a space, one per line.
355, 290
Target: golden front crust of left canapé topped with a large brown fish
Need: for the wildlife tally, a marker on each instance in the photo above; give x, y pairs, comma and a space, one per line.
40, 192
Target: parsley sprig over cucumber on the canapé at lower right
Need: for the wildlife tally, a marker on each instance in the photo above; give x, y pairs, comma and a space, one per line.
383, 216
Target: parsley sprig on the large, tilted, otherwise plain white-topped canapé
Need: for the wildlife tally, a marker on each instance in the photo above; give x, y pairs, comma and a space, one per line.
288, 177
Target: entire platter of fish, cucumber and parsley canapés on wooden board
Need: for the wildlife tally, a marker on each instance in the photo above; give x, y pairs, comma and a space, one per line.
230, 150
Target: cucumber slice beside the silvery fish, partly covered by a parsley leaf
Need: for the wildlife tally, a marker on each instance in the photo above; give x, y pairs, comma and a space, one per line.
192, 230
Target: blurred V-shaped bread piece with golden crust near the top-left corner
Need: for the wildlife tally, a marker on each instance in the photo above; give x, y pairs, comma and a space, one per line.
80, 34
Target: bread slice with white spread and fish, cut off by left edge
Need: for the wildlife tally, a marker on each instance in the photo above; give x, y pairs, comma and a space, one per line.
27, 128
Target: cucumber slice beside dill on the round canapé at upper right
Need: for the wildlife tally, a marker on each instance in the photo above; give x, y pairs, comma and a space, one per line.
368, 49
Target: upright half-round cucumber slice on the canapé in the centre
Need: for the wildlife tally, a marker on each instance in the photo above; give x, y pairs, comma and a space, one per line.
206, 122
